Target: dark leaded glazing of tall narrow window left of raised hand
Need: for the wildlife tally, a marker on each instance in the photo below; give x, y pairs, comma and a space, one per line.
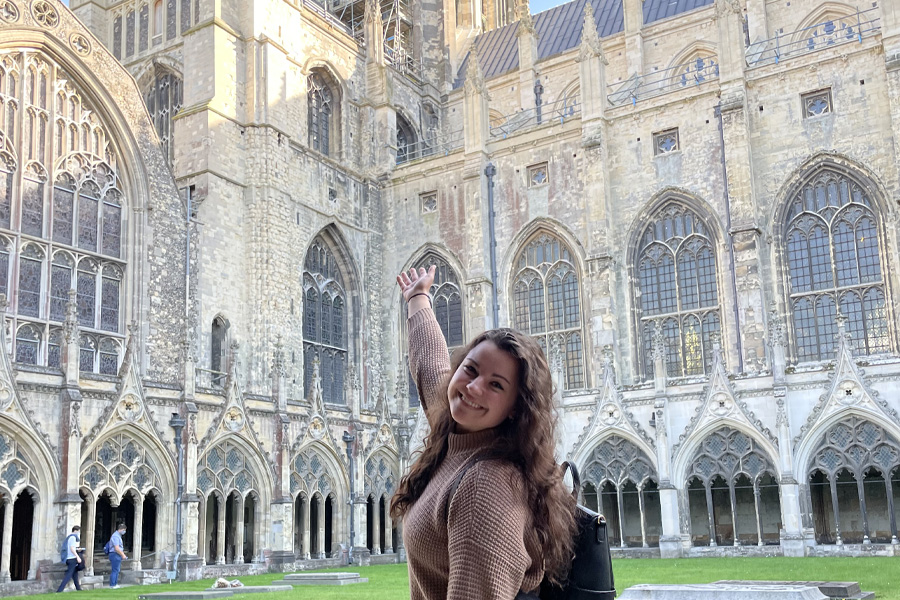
324, 322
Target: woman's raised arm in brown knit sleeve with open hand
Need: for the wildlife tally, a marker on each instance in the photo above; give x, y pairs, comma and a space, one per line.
429, 360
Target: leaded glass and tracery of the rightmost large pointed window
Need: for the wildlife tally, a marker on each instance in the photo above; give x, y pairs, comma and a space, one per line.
834, 264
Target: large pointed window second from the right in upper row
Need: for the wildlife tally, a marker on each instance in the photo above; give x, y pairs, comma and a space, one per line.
677, 290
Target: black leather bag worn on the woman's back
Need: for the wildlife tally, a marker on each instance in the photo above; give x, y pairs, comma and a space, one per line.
590, 576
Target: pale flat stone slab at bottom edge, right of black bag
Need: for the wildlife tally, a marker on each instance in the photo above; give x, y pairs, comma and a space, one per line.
715, 591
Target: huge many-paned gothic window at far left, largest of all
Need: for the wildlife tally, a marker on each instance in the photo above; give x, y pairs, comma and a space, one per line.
61, 221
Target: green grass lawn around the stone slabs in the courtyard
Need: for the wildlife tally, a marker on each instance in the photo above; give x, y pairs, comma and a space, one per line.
390, 582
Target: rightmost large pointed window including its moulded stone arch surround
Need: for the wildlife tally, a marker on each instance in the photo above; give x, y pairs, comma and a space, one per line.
832, 245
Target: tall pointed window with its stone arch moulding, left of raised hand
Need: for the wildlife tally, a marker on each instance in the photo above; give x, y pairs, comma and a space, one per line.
331, 309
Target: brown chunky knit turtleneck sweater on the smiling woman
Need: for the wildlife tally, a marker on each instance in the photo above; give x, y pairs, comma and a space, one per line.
481, 548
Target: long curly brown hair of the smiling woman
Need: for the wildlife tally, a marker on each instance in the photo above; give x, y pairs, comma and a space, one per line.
527, 439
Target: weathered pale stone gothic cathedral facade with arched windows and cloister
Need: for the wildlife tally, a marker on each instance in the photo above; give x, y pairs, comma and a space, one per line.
692, 206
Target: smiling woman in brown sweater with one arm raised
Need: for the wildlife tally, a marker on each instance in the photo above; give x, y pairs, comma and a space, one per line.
484, 508
